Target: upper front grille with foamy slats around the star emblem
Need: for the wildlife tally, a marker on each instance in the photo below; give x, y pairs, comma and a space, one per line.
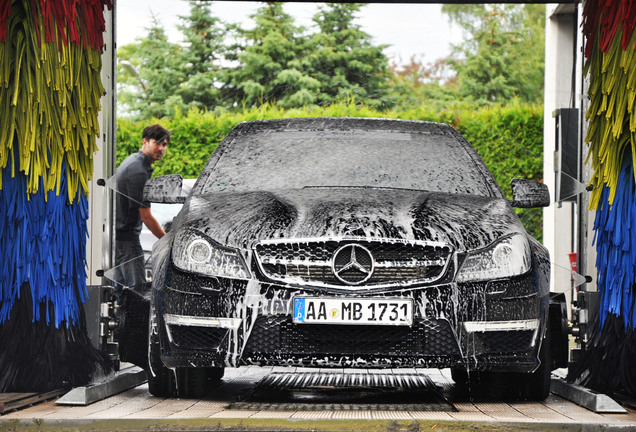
311, 262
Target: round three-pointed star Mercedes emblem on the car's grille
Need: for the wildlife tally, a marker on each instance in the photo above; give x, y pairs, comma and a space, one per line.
352, 264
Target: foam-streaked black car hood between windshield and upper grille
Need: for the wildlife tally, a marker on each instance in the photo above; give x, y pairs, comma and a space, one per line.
240, 220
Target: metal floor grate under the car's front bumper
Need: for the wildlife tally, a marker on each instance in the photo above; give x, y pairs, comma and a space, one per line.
318, 391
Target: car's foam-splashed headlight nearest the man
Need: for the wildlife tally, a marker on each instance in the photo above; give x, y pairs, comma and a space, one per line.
195, 252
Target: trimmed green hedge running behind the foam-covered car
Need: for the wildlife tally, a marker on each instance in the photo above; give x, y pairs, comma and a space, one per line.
508, 138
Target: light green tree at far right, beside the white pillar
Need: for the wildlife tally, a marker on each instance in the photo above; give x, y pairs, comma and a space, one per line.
502, 54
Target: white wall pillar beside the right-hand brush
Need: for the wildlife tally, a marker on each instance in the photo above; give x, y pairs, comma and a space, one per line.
567, 226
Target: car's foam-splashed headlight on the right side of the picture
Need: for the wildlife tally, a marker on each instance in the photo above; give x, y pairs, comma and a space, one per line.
507, 257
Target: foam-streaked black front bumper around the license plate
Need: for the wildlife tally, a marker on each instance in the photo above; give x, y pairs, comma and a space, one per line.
206, 322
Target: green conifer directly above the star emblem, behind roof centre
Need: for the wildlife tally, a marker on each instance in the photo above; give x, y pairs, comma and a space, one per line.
344, 59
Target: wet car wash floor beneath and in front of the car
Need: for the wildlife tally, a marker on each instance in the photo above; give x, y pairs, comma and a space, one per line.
266, 398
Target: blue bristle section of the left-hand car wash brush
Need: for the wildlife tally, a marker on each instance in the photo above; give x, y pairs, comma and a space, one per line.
43, 243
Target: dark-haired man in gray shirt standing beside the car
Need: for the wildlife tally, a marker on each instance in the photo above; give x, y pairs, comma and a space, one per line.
131, 210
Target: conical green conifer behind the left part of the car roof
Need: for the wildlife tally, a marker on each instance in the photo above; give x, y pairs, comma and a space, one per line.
271, 66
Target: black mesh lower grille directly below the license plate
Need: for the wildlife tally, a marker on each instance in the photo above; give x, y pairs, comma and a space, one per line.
279, 335
